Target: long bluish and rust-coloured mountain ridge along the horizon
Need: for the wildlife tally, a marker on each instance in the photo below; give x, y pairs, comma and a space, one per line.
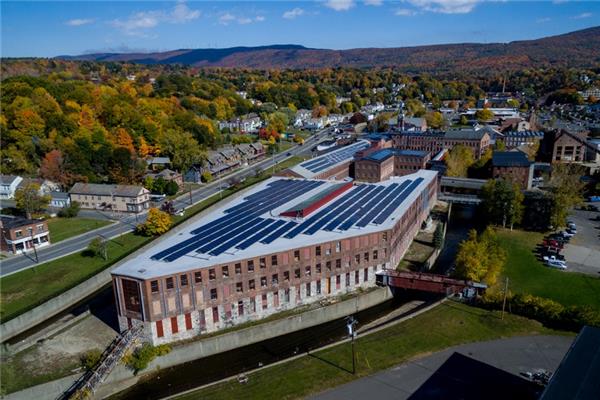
573, 49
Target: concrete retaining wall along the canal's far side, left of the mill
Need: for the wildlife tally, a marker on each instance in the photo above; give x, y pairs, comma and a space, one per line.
73, 296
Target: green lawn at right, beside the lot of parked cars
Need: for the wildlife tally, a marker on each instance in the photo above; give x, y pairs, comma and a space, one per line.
528, 275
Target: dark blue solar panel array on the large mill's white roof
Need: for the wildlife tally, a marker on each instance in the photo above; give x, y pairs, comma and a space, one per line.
242, 225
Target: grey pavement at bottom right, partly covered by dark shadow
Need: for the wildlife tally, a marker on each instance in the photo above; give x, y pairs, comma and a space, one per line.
514, 355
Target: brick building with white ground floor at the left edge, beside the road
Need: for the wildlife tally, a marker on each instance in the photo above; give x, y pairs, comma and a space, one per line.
21, 234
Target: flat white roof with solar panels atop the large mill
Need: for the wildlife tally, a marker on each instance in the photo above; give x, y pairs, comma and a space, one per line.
251, 225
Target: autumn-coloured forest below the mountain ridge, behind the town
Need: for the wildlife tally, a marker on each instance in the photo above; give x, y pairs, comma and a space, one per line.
72, 121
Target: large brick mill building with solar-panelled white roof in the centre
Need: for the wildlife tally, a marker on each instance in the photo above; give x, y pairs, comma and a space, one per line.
283, 243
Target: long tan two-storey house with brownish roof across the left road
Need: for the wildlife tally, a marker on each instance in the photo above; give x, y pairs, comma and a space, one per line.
121, 198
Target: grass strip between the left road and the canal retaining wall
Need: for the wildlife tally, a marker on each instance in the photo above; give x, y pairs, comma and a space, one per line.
25, 290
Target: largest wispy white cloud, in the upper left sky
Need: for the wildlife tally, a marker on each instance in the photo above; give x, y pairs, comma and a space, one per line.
136, 23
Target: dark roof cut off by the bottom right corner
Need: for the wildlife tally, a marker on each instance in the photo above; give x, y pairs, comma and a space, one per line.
578, 375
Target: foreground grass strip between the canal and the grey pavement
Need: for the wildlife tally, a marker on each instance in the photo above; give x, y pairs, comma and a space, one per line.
446, 325
